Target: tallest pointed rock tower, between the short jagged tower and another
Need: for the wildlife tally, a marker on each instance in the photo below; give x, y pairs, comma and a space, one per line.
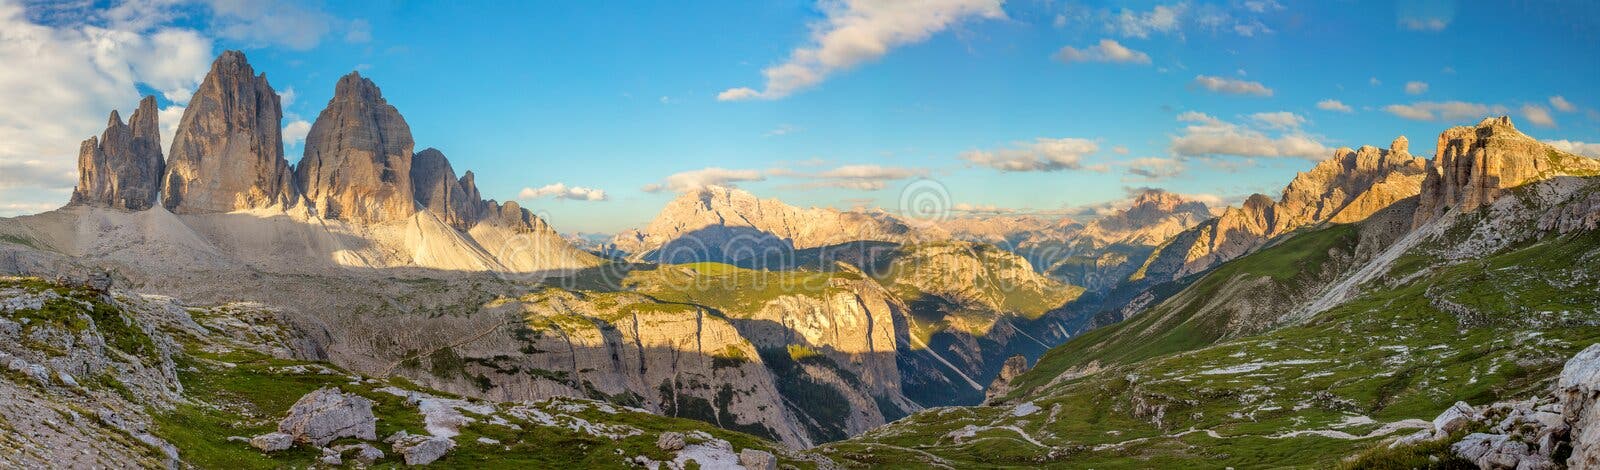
228, 151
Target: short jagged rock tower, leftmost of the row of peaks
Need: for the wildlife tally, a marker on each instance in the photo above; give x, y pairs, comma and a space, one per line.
124, 167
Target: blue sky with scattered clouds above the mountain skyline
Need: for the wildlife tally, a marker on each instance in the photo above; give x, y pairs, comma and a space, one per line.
1214, 100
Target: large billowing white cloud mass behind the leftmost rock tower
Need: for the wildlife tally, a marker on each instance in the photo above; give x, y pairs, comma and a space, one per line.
79, 73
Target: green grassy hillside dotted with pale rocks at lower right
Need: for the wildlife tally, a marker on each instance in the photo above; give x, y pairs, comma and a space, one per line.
1386, 356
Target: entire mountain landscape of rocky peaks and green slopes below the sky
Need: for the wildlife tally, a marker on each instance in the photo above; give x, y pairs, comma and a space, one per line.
183, 301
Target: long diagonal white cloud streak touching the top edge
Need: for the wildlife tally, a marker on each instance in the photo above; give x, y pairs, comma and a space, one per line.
862, 31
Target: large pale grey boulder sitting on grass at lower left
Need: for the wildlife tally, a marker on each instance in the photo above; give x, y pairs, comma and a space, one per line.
329, 415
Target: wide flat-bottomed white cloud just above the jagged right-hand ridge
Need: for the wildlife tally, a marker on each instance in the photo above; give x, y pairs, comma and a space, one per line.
1212, 137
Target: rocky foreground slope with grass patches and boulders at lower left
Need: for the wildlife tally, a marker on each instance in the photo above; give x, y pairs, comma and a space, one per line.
130, 381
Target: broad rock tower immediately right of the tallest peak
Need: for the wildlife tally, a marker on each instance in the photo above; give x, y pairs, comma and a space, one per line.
358, 162
